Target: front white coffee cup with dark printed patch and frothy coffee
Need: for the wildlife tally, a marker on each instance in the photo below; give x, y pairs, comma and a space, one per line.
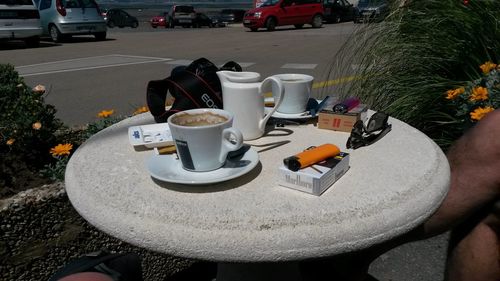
203, 137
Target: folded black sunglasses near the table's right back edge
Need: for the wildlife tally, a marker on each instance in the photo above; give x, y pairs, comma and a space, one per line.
363, 136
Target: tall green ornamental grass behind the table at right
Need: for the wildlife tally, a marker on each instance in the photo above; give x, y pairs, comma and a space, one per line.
405, 64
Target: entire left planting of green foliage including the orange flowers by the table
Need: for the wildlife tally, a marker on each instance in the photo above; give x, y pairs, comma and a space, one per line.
35, 146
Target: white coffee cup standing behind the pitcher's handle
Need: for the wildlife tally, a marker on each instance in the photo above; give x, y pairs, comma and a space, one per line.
298, 89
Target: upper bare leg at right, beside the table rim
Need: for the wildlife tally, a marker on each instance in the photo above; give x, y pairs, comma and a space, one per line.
475, 176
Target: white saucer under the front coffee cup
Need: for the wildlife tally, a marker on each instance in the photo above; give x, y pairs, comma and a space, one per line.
169, 169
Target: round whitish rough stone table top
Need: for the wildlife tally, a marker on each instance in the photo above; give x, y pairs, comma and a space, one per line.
391, 187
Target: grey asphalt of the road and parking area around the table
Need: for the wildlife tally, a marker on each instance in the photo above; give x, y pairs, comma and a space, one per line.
84, 77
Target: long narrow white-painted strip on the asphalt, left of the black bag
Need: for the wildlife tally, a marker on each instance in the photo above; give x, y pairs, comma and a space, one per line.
85, 64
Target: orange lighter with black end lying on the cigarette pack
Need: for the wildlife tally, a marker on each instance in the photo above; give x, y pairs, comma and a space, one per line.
311, 156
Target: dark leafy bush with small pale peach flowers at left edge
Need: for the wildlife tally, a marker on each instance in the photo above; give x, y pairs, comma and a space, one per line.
27, 129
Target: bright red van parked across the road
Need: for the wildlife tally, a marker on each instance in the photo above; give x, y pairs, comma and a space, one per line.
274, 13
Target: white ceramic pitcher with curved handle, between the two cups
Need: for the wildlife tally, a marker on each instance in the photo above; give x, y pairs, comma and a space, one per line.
243, 96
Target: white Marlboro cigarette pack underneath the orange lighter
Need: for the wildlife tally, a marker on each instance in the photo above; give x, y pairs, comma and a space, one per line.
317, 178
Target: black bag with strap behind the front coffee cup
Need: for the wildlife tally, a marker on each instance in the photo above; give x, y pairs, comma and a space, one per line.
194, 86
